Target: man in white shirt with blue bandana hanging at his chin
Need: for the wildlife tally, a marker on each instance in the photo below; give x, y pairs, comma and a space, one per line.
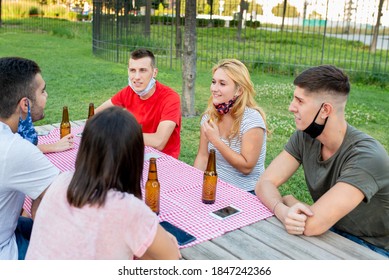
24, 170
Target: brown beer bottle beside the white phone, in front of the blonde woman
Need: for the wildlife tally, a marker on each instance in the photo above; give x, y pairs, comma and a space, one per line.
210, 180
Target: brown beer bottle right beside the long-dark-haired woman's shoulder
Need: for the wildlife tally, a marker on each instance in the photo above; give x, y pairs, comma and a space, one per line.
152, 188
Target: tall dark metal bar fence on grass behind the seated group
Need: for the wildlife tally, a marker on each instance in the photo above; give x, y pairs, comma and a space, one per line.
264, 34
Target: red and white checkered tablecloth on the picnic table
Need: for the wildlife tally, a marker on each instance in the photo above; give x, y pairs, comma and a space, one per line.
181, 186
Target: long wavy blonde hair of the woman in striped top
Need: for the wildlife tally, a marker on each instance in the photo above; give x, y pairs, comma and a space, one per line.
240, 75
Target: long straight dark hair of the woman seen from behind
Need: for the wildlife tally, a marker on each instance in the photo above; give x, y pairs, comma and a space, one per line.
110, 156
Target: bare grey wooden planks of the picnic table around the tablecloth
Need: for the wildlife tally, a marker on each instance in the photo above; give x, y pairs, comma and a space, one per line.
268, 240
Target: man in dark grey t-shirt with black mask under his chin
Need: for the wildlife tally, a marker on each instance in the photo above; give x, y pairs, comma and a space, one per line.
347, 171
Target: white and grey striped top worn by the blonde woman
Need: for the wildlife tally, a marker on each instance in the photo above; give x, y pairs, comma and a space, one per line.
251, 119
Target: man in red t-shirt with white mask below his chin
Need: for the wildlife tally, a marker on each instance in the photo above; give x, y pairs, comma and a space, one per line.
156, 106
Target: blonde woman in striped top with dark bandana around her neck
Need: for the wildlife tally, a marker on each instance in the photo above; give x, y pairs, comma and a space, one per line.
234, 125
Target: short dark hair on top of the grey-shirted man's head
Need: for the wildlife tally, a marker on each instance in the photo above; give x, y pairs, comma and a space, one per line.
327, 78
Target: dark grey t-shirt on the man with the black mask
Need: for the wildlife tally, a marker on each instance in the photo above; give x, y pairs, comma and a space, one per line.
361, 161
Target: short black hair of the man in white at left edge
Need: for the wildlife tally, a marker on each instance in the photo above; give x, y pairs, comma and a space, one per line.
17, 76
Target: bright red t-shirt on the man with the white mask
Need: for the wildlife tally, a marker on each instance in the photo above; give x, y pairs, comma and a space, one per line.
163, 105
